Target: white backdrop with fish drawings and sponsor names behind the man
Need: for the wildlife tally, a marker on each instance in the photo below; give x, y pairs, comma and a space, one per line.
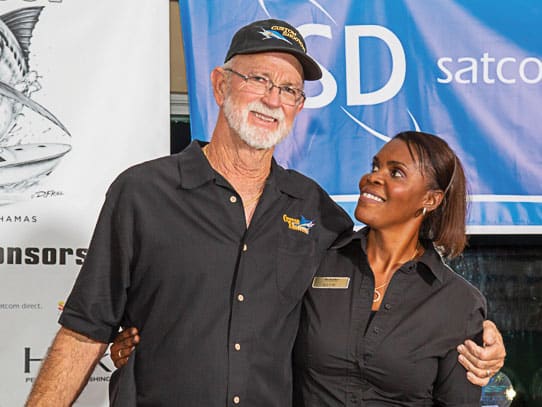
96, 86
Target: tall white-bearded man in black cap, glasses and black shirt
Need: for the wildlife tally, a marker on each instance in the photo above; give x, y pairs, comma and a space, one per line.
208, 252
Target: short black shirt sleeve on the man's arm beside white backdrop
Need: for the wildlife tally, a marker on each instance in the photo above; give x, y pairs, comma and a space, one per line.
96, 303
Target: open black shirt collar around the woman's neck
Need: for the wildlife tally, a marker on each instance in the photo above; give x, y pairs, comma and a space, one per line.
430, 259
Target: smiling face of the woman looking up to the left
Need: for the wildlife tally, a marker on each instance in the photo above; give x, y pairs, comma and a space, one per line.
393, 193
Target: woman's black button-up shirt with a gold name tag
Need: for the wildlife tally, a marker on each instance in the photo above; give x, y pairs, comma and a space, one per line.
406, 354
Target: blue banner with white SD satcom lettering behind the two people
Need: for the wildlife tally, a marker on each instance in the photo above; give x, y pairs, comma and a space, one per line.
468, 71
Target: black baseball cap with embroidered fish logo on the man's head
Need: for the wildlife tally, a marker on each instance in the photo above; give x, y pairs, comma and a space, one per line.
274, 35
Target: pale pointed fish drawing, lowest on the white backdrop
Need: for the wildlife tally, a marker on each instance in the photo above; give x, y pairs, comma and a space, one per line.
29, 162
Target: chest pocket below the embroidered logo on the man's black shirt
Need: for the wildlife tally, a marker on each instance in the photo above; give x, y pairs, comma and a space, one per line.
297, 260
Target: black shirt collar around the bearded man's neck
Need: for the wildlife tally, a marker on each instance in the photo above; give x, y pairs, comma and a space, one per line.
194, 171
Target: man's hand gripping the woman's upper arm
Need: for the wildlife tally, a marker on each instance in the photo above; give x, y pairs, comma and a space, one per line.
483, 362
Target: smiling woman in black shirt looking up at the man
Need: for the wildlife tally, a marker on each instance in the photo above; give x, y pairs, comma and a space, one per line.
382, 319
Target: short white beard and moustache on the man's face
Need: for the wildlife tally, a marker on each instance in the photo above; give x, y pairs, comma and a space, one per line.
254, 136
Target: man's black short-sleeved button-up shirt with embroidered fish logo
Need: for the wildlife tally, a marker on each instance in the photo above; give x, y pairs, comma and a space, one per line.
217, 303
